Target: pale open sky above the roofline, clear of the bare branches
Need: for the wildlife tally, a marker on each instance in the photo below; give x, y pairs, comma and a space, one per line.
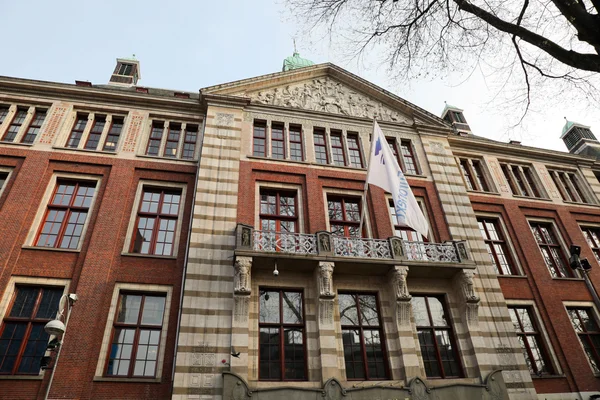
187, 45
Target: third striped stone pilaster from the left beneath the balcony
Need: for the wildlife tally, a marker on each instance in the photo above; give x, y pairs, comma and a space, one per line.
408, 359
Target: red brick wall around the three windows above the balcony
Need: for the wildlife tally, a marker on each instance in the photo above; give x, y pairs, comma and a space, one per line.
313, 181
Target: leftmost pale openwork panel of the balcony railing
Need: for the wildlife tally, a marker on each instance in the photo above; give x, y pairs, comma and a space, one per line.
293, 243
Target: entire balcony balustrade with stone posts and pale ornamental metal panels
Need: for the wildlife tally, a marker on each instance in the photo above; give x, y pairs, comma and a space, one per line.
325, 246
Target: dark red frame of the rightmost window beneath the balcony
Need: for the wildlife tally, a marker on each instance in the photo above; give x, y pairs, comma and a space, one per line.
452, 334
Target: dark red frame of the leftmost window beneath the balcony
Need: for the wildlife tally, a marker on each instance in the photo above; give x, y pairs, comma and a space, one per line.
281, 325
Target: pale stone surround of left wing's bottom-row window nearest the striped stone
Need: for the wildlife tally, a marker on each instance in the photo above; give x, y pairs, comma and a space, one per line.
106, 339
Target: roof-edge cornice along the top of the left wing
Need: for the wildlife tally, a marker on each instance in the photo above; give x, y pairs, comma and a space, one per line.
69, 92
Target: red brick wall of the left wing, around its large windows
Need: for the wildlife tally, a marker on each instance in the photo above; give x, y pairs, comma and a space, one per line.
94, 270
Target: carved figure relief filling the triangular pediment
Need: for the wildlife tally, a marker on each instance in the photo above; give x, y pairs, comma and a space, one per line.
327, 95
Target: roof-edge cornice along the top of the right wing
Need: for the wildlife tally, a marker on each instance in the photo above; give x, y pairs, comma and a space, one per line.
512, 150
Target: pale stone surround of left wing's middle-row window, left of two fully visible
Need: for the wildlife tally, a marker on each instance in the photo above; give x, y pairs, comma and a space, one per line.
39, 216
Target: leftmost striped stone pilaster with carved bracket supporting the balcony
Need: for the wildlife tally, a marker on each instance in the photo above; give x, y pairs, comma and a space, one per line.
241, 307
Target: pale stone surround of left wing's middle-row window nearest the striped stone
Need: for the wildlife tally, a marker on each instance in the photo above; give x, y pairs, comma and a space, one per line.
133, 217
